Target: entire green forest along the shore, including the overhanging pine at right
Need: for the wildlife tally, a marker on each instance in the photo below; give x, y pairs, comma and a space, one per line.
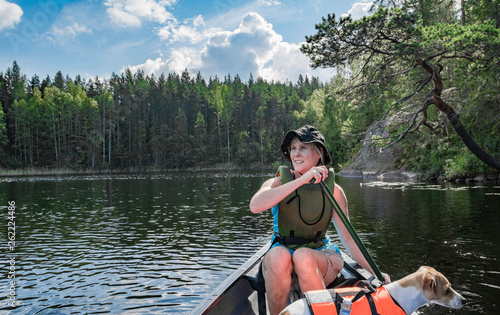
406, 59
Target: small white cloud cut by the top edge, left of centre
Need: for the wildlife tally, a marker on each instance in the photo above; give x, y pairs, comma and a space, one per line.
130, 13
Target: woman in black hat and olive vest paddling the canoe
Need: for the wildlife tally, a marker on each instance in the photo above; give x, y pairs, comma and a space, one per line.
301, 220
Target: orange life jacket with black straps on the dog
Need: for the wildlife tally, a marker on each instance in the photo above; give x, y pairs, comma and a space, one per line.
353, 301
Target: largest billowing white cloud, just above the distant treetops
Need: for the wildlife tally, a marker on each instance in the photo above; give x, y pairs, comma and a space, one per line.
254, 47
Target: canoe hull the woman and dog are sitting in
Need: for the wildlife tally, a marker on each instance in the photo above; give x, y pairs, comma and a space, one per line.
239, 293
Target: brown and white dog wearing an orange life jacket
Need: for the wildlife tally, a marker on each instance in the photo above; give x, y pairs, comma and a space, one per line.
406, 295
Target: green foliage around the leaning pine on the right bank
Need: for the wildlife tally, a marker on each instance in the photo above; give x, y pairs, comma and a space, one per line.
376, 58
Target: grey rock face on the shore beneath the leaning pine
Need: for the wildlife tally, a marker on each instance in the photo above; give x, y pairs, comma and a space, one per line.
371, 163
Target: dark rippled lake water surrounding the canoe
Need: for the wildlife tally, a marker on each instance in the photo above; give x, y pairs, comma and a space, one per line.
157, 243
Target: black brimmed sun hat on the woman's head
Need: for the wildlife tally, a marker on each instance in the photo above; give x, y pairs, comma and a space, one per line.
305, 134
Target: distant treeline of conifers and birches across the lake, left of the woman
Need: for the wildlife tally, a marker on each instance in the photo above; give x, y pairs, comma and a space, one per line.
136, 121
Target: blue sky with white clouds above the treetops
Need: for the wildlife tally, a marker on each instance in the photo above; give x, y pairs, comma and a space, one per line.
216, 37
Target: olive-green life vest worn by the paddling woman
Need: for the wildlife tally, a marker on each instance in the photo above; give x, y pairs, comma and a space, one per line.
305, 215
